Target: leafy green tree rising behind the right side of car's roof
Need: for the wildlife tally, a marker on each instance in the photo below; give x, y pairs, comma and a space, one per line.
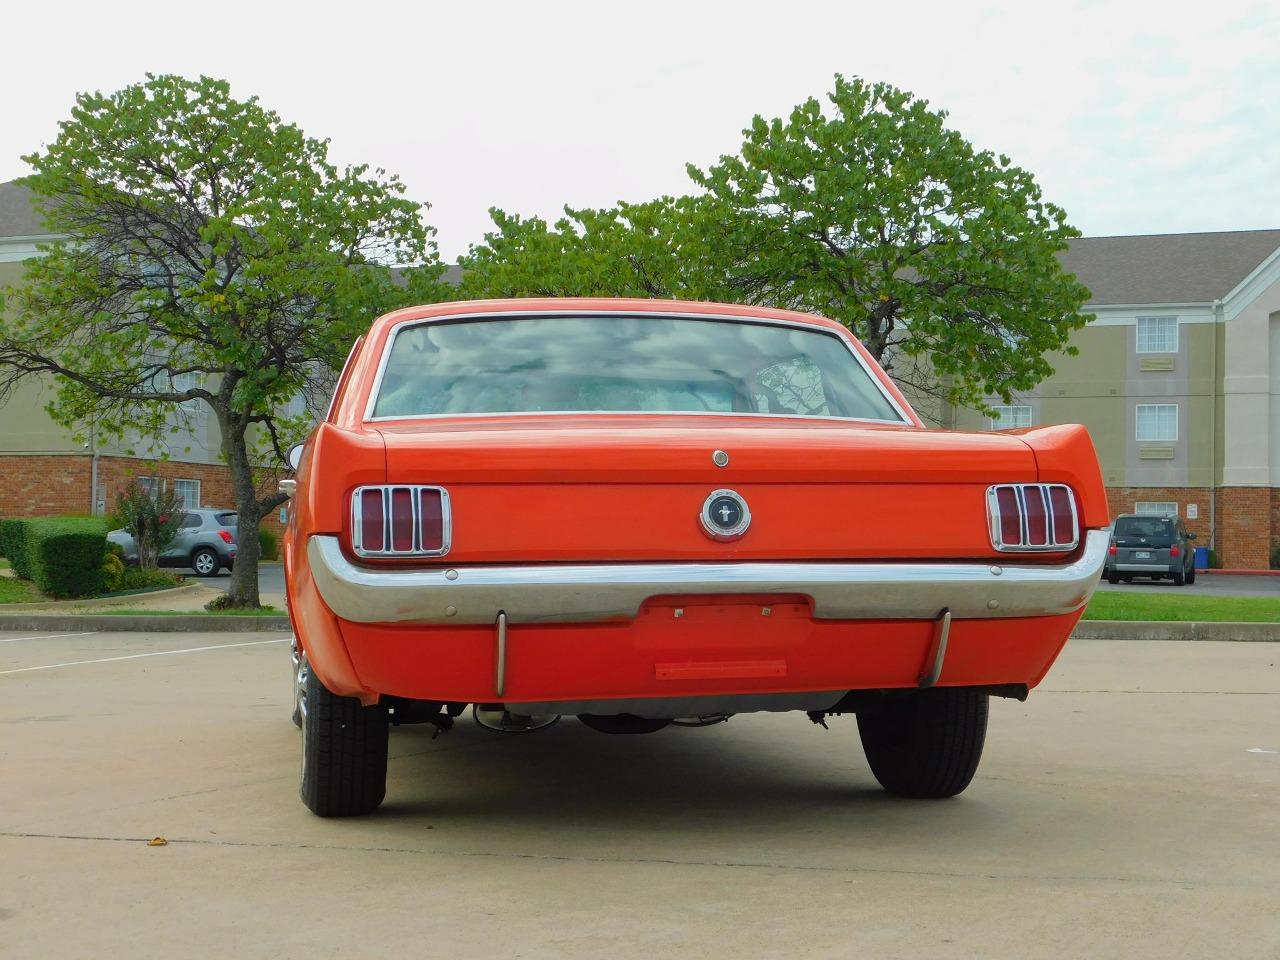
877, 214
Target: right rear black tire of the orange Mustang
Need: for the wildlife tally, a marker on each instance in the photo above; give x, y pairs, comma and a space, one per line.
927, 744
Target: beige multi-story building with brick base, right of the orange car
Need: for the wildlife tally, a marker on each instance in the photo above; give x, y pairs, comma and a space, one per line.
1178, 380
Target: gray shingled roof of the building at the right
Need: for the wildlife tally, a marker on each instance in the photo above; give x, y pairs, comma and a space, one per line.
1168, 268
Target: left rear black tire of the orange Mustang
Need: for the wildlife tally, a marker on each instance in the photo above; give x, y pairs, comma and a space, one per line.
344, 753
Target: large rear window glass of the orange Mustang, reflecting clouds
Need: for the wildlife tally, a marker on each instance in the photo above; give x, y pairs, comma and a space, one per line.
625, 364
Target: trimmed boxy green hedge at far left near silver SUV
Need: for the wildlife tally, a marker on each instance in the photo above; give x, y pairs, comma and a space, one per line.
63, 555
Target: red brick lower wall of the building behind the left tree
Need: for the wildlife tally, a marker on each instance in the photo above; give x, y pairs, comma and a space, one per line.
51, 487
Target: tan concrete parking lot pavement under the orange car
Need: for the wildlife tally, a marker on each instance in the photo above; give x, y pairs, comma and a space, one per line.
1128, 810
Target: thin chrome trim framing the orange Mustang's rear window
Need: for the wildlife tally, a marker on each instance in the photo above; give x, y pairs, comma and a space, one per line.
657, 314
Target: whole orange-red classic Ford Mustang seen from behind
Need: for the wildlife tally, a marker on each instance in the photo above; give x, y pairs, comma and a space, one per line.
655, 513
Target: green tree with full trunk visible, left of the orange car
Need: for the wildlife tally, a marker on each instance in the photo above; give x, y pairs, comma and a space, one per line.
214, 255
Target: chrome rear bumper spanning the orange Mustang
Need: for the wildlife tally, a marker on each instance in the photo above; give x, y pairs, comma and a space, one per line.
554, 593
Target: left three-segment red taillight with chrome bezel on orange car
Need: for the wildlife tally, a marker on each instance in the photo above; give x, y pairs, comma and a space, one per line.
400, 522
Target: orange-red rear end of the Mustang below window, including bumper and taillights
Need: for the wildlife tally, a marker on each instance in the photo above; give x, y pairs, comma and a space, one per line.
564, 560
